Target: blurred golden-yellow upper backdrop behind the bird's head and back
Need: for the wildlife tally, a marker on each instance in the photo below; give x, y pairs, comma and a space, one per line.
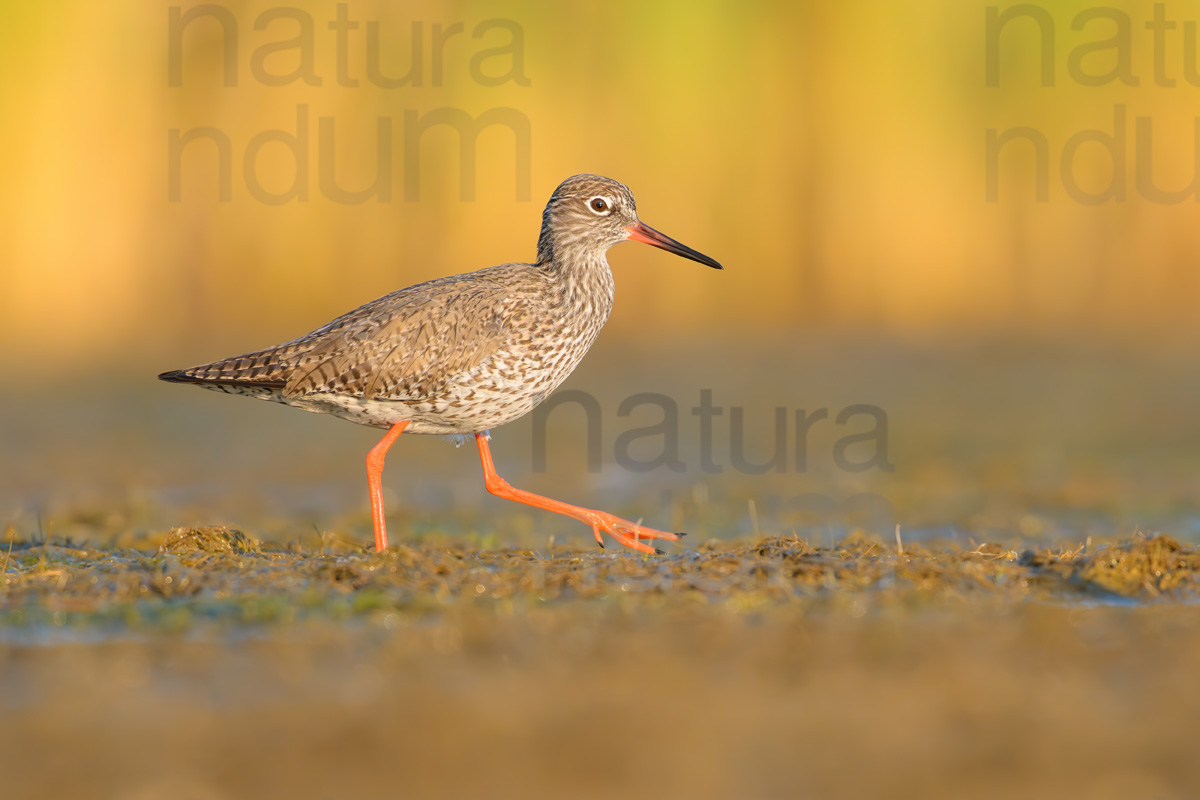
832, 155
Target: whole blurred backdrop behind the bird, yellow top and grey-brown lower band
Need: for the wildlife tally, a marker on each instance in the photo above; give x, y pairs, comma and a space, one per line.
1035, 358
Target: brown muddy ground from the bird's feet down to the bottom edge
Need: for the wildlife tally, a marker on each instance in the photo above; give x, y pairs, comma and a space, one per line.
207, 665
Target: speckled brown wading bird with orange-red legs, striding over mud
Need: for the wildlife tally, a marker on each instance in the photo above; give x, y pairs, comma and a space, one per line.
466, 353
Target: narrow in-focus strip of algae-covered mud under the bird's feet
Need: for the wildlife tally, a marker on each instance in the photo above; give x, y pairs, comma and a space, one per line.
227, 578
